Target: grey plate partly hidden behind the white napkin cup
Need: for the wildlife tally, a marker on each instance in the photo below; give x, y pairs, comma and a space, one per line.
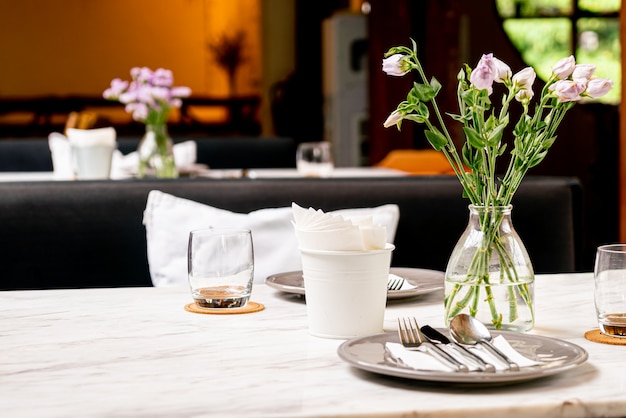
425, 281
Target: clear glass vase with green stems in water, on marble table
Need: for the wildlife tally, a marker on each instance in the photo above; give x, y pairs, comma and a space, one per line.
489, 274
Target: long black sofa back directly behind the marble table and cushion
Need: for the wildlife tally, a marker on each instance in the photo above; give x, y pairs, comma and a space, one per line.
90, 233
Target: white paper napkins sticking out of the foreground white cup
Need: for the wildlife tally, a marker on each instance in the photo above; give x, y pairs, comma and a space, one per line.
316, 230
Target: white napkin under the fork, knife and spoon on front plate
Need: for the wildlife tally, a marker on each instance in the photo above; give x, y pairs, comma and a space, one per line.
420, 360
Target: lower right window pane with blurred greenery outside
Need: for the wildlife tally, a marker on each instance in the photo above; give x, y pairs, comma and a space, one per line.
598, 44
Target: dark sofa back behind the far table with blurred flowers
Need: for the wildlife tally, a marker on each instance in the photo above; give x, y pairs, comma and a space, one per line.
33, 154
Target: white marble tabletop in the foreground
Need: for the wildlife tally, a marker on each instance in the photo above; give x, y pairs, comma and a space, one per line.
137, 352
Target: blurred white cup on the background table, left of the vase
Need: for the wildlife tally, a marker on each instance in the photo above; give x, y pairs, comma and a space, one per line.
92, 152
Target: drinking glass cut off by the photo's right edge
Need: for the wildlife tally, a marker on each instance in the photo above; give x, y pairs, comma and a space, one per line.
610, 289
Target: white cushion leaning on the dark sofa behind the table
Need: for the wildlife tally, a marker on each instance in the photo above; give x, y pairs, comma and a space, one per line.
169, 219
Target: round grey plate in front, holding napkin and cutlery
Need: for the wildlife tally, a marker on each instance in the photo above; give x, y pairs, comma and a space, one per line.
556, 356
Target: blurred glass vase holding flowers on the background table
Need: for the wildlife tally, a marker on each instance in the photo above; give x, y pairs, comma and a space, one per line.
156, 154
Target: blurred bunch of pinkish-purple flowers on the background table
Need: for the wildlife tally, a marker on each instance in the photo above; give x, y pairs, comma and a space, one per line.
149, 96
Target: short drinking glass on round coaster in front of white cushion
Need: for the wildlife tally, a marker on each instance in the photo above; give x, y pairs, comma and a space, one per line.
221, 267
